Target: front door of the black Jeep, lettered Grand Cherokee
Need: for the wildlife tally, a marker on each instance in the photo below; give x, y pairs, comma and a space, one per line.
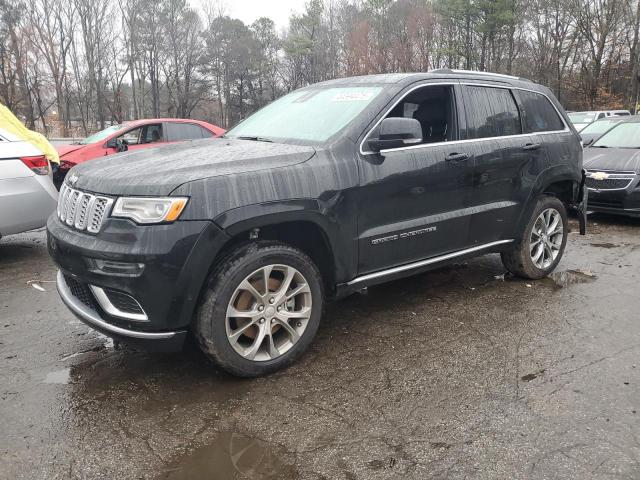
412, 200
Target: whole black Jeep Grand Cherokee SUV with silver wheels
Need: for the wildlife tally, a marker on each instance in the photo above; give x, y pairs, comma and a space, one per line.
334, 187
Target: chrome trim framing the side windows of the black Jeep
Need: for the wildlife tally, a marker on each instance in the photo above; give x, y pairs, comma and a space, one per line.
456, 142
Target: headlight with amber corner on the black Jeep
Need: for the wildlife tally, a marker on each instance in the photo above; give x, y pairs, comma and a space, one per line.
149, 210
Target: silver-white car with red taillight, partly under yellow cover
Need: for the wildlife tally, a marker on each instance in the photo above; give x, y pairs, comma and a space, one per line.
27, 194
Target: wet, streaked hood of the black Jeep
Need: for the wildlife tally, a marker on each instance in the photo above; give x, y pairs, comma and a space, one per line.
160, 170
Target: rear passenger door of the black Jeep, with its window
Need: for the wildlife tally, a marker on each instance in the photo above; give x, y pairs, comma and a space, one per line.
503, 155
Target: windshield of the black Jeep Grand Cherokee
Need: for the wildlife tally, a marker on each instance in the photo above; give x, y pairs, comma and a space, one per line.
309, 115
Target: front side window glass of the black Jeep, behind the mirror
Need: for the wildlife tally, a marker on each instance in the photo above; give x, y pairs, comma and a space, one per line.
434, 108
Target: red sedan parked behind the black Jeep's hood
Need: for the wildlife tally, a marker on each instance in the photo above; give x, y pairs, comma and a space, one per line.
131, 135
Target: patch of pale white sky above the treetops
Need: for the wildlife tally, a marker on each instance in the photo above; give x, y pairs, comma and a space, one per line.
250, 10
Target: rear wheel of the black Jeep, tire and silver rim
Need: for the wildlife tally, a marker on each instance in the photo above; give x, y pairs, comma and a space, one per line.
521, 259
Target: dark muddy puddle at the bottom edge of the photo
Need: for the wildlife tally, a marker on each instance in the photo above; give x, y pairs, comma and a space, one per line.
231, 456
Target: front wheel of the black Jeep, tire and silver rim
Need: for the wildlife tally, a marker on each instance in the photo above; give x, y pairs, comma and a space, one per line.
237, 287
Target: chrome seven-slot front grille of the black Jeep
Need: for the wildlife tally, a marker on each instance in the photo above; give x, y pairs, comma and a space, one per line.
82, 210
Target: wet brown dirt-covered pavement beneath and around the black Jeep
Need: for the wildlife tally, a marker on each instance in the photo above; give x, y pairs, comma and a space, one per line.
457, 373
